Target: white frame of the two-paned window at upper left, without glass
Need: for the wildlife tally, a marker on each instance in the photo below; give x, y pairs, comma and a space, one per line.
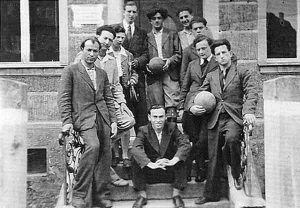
25, 39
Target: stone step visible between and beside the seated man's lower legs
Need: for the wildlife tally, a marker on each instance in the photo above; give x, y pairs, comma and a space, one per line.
156, 191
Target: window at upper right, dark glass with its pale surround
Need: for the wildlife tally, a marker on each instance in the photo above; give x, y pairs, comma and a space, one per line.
278, 32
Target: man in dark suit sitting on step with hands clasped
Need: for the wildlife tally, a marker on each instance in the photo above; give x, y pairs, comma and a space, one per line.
159, 153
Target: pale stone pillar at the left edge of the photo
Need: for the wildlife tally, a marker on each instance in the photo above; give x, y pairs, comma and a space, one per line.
13, 158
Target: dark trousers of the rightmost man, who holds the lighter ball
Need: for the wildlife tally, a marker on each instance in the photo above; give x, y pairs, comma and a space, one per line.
224, 145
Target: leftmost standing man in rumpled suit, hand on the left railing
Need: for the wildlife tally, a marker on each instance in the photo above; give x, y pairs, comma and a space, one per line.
86, 105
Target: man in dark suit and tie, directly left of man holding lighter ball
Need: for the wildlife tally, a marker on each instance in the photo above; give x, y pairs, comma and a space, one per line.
193, 125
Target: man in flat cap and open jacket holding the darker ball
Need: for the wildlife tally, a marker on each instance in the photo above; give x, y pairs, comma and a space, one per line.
163, 89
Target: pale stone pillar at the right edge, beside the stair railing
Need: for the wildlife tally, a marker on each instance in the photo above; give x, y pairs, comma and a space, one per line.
282, 146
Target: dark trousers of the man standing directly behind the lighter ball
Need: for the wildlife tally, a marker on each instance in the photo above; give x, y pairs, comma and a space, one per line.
196, 128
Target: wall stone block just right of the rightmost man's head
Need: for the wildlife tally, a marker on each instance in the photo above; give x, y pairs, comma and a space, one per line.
243, 44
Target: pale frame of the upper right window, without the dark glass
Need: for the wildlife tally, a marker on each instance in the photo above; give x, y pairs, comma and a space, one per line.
262, 39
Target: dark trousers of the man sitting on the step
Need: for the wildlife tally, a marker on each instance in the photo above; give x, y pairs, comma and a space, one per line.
175, 175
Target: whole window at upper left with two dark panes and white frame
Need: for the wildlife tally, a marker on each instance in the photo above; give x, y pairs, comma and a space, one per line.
33, 32
